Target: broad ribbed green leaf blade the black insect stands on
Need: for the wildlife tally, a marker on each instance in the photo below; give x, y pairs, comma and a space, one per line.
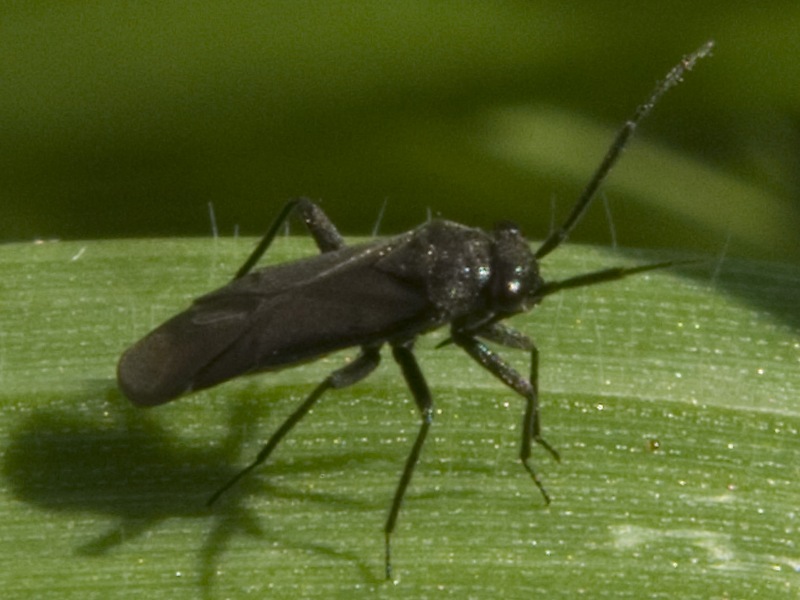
672, 398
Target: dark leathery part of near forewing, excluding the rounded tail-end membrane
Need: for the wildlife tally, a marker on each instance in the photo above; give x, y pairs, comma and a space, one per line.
355, 303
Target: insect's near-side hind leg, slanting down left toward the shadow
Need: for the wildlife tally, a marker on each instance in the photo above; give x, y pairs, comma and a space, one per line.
363, 365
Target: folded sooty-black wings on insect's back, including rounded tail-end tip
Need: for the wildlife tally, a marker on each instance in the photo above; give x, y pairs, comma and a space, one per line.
273, 318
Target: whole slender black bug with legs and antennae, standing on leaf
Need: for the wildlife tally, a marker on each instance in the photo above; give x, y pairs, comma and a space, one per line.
385, 292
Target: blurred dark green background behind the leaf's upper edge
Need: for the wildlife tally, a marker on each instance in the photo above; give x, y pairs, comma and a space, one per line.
128, 119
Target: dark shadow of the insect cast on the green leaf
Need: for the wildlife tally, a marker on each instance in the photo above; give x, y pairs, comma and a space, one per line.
127, 467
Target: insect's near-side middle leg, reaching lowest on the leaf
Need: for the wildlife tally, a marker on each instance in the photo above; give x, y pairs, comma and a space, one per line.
422, 396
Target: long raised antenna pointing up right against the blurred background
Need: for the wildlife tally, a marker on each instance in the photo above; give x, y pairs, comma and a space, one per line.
620, 141
